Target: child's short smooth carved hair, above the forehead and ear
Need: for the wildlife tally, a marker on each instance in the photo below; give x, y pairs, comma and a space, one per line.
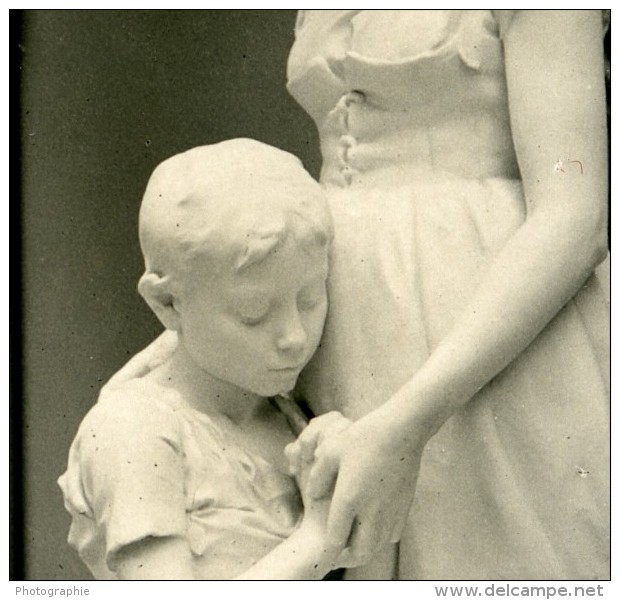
230, 204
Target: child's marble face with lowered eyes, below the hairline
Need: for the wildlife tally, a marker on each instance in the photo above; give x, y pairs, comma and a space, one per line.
258, 328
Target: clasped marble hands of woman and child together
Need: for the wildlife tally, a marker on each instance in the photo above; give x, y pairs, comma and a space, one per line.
367, 470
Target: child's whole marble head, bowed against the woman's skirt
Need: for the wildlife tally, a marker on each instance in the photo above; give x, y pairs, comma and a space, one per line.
235, 238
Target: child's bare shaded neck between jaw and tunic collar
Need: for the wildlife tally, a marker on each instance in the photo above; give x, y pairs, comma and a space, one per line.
207, 393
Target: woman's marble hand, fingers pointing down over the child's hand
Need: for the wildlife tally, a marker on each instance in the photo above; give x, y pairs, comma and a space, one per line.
369, 473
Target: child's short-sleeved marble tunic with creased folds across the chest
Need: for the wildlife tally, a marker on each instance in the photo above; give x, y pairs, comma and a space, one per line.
145, 464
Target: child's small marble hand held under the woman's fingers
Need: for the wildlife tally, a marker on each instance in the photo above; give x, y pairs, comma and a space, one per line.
301, 452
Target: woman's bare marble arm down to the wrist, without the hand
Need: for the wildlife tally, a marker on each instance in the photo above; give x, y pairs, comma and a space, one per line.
554, 70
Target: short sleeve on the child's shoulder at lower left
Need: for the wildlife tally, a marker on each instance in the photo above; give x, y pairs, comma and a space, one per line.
126, 465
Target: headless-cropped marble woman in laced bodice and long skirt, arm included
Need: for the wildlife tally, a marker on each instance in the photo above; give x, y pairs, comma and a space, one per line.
465, 158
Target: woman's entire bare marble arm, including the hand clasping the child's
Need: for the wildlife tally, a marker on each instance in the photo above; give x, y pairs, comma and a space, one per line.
554, 70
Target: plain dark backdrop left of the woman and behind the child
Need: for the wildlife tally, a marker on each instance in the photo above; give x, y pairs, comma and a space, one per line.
104, 97
